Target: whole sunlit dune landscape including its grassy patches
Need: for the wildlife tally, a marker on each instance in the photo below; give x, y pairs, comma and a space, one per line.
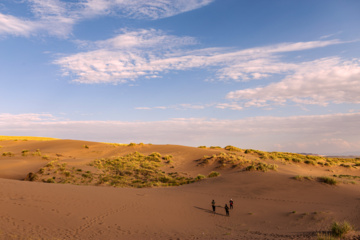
69, 189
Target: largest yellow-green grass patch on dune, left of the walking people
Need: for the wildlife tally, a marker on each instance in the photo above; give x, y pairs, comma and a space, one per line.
131, 170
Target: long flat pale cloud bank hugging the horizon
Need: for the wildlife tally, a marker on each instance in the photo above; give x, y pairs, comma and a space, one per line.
333, 133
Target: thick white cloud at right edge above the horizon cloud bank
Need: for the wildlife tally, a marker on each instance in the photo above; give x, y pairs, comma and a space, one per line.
323, 81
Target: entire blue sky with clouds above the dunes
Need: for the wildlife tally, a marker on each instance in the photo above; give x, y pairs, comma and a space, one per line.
271, 75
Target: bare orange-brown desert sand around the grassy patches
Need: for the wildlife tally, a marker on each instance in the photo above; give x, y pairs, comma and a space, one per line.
267, 205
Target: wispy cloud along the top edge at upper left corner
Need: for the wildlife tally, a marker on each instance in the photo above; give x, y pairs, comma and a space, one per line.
57, 17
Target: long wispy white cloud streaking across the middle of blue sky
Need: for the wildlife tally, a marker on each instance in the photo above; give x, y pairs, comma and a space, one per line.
150, 53
